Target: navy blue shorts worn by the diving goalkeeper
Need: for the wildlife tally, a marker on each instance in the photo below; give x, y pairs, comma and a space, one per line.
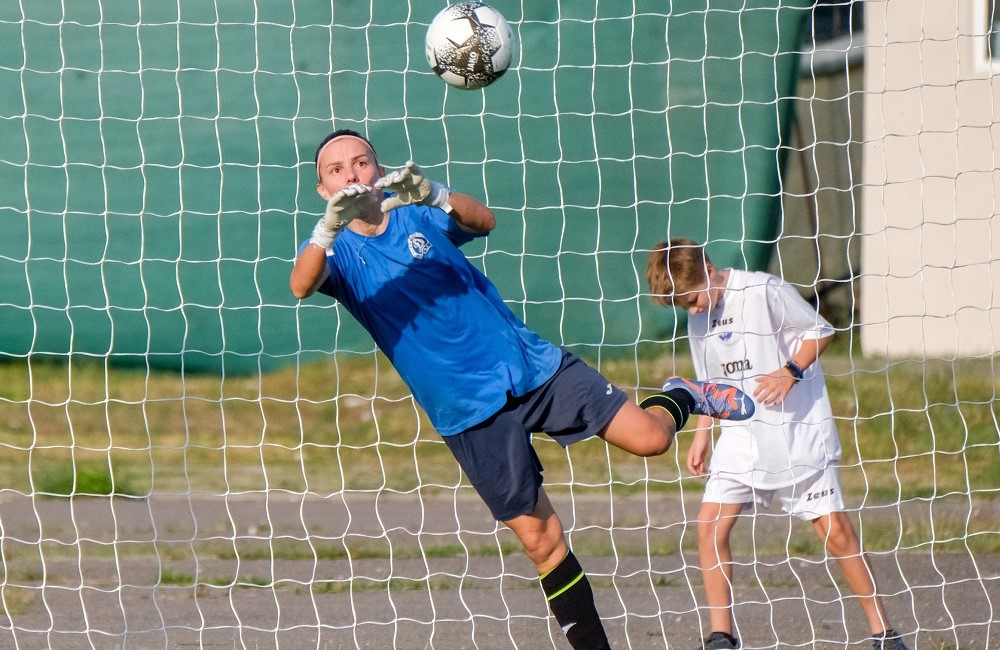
497, 456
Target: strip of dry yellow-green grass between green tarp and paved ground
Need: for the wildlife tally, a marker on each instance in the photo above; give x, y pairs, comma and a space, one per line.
909, 430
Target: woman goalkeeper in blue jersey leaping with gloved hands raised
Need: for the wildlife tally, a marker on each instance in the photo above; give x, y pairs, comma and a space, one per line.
388, 250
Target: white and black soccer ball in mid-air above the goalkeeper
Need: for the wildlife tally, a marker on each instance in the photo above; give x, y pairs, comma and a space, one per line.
469, 45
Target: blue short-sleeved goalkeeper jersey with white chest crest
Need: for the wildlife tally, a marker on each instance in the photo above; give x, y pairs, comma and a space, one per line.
438, 319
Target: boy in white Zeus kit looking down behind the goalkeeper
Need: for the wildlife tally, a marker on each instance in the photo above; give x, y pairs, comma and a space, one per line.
754, 331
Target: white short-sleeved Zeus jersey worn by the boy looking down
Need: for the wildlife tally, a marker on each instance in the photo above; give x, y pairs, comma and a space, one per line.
759, 325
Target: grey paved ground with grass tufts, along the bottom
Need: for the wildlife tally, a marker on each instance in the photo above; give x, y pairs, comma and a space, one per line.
273, 570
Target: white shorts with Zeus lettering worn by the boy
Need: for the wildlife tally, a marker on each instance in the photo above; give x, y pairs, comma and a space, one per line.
813, 497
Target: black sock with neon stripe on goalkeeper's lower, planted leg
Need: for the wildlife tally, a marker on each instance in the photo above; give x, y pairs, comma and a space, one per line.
572, 603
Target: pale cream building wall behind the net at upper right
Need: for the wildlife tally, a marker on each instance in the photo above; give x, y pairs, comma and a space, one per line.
930, 237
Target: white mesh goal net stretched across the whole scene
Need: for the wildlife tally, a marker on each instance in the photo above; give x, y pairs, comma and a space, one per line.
192, 457
